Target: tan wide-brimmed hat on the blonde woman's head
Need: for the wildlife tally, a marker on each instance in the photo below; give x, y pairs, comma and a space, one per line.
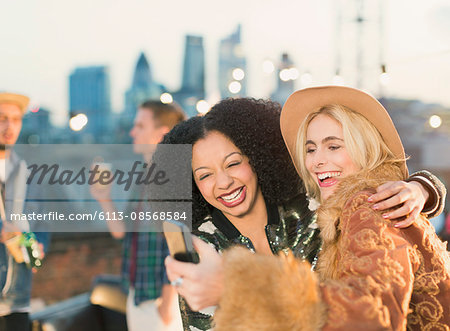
303, 102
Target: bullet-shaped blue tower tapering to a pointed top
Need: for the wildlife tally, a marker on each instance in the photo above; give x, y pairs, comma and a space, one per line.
142, 87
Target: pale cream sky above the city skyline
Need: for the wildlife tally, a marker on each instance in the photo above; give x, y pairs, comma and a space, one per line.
43, 41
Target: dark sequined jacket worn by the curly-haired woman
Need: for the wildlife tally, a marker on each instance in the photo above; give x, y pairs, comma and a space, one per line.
291, 226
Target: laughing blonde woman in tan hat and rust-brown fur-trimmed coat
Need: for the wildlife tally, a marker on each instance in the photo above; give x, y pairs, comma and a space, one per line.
371, 275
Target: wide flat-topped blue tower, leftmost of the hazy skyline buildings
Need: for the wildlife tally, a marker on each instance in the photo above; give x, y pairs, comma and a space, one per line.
89, 93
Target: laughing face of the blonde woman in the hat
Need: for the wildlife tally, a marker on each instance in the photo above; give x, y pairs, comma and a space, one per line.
327, 159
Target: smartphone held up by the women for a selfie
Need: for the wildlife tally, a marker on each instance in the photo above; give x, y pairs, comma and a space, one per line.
179, 240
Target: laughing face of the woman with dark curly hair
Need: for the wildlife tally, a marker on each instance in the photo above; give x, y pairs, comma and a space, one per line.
224, 176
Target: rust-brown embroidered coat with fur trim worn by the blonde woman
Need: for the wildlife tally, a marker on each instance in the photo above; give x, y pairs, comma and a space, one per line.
371, 275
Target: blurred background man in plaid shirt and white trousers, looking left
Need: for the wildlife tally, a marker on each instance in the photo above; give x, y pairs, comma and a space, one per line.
151, 300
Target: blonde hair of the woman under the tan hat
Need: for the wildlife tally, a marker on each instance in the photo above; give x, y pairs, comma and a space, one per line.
363, 143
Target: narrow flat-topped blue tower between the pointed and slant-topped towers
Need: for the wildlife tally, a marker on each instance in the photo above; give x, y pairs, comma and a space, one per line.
193, 83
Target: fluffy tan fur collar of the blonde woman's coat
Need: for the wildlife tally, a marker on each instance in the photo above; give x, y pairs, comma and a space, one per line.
329, 212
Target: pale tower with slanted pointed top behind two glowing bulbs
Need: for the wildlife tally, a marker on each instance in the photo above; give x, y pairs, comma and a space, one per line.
232, 66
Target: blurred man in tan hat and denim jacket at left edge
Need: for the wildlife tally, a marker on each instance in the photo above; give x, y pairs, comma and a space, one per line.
15, 276
